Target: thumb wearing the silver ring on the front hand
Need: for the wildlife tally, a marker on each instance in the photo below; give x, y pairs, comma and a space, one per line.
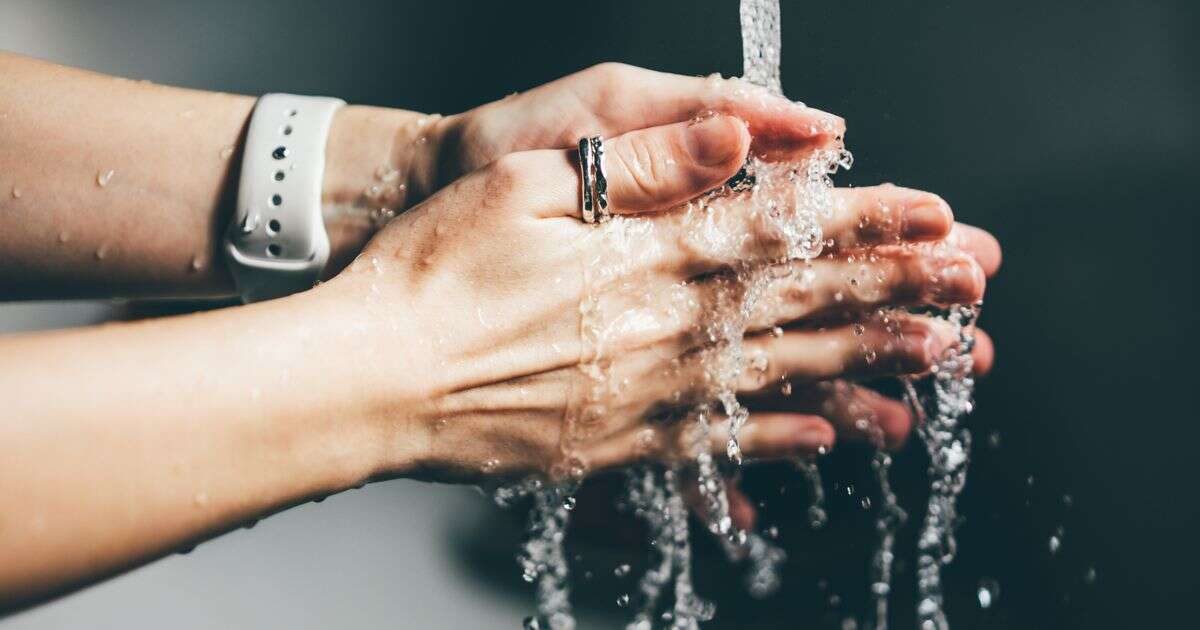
647, 171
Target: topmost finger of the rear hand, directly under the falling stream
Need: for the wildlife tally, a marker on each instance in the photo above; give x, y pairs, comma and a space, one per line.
781, 128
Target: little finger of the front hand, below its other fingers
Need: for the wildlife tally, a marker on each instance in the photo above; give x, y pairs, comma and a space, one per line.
765, 436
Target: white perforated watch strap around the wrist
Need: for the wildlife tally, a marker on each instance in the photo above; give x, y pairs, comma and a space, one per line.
277, 244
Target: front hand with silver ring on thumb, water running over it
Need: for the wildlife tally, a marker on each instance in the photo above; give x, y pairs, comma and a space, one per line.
473, 308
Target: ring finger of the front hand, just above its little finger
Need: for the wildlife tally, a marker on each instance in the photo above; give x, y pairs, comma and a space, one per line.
902, 346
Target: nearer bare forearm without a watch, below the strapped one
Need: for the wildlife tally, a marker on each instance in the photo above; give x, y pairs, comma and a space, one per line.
122, 443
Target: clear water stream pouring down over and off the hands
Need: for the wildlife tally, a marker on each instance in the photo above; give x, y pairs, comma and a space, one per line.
789, 200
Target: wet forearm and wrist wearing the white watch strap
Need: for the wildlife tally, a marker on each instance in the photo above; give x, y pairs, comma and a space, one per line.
112, 188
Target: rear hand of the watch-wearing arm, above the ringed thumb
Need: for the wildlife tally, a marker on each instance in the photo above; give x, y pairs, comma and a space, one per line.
382, 161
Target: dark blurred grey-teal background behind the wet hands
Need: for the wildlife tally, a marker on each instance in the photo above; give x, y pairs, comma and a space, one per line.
1067, 131
